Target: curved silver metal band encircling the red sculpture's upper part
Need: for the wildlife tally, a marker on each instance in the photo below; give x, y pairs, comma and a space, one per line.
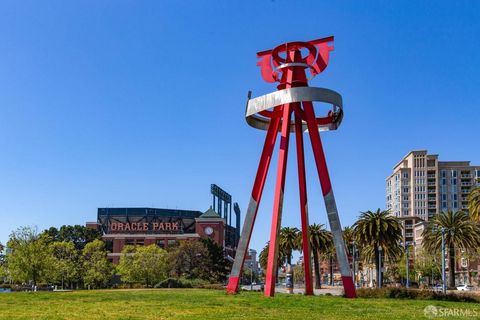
292, 95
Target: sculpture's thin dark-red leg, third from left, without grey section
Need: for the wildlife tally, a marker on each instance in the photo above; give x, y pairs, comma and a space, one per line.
307, 261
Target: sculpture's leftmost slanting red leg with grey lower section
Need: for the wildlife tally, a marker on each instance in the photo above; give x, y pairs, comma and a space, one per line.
251, 214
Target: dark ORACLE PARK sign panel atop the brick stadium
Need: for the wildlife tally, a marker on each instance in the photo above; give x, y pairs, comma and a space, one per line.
146, 221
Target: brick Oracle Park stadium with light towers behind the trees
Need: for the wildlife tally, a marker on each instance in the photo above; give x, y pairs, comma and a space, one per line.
165, 227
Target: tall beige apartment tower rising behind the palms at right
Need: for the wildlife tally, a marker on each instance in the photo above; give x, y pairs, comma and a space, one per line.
422, 186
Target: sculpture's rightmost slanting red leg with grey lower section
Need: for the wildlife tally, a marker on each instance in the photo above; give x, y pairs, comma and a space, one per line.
329, 199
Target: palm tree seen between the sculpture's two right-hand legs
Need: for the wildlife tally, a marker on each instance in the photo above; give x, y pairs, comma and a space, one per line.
320, 241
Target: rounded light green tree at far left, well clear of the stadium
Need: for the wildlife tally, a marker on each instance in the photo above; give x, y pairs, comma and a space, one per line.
28, 256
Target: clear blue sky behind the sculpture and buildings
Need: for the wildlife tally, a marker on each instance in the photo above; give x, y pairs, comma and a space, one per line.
141, 103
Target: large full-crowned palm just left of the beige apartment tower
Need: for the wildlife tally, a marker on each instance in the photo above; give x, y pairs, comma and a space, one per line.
378, 229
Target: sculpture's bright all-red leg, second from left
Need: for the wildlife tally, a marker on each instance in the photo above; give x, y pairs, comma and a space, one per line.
270, 278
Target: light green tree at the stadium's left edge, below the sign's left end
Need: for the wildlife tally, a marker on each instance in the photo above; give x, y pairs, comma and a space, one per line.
97, 270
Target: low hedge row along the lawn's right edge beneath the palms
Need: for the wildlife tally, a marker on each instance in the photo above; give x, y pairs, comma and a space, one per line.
421, 294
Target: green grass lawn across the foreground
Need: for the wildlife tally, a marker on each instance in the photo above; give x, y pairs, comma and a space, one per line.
208, 304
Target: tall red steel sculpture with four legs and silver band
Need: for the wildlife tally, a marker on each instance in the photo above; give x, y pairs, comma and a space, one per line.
287, 64
